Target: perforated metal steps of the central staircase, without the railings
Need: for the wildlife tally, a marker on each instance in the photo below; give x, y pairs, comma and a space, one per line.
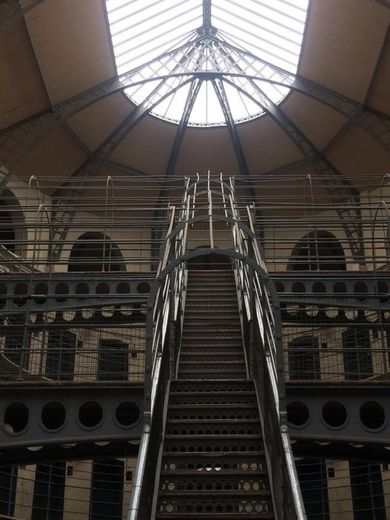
213, 462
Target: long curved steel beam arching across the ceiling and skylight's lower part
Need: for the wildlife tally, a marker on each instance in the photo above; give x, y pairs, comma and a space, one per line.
19, 140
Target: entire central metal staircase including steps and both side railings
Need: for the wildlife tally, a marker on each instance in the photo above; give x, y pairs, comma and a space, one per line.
215, 441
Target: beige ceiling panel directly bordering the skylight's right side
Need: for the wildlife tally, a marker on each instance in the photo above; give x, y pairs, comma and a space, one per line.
343, 43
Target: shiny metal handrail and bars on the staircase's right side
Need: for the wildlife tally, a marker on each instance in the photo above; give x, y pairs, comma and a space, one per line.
260, 311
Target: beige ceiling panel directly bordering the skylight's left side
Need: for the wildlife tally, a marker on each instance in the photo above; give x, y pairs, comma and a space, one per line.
72, 45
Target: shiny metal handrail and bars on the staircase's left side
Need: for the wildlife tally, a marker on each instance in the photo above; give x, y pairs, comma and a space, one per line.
164, 308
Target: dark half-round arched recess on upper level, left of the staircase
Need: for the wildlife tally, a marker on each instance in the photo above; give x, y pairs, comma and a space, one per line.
95, 251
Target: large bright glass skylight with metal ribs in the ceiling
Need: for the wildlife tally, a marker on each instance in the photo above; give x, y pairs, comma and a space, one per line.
206, 62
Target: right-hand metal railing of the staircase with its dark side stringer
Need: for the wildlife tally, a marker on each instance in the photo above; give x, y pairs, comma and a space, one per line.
262, 321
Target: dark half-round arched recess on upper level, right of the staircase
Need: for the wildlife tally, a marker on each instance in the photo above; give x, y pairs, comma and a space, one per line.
318, 251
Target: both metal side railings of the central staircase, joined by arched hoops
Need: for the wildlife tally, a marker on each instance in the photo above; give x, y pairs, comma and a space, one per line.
215, 206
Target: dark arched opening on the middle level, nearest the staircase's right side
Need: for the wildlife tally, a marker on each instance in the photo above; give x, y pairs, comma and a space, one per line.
304, 358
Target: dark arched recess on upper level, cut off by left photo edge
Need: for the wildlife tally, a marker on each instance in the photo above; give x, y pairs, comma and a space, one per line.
12, 223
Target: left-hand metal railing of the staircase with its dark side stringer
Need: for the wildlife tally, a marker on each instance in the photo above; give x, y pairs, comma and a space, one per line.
162, 339
